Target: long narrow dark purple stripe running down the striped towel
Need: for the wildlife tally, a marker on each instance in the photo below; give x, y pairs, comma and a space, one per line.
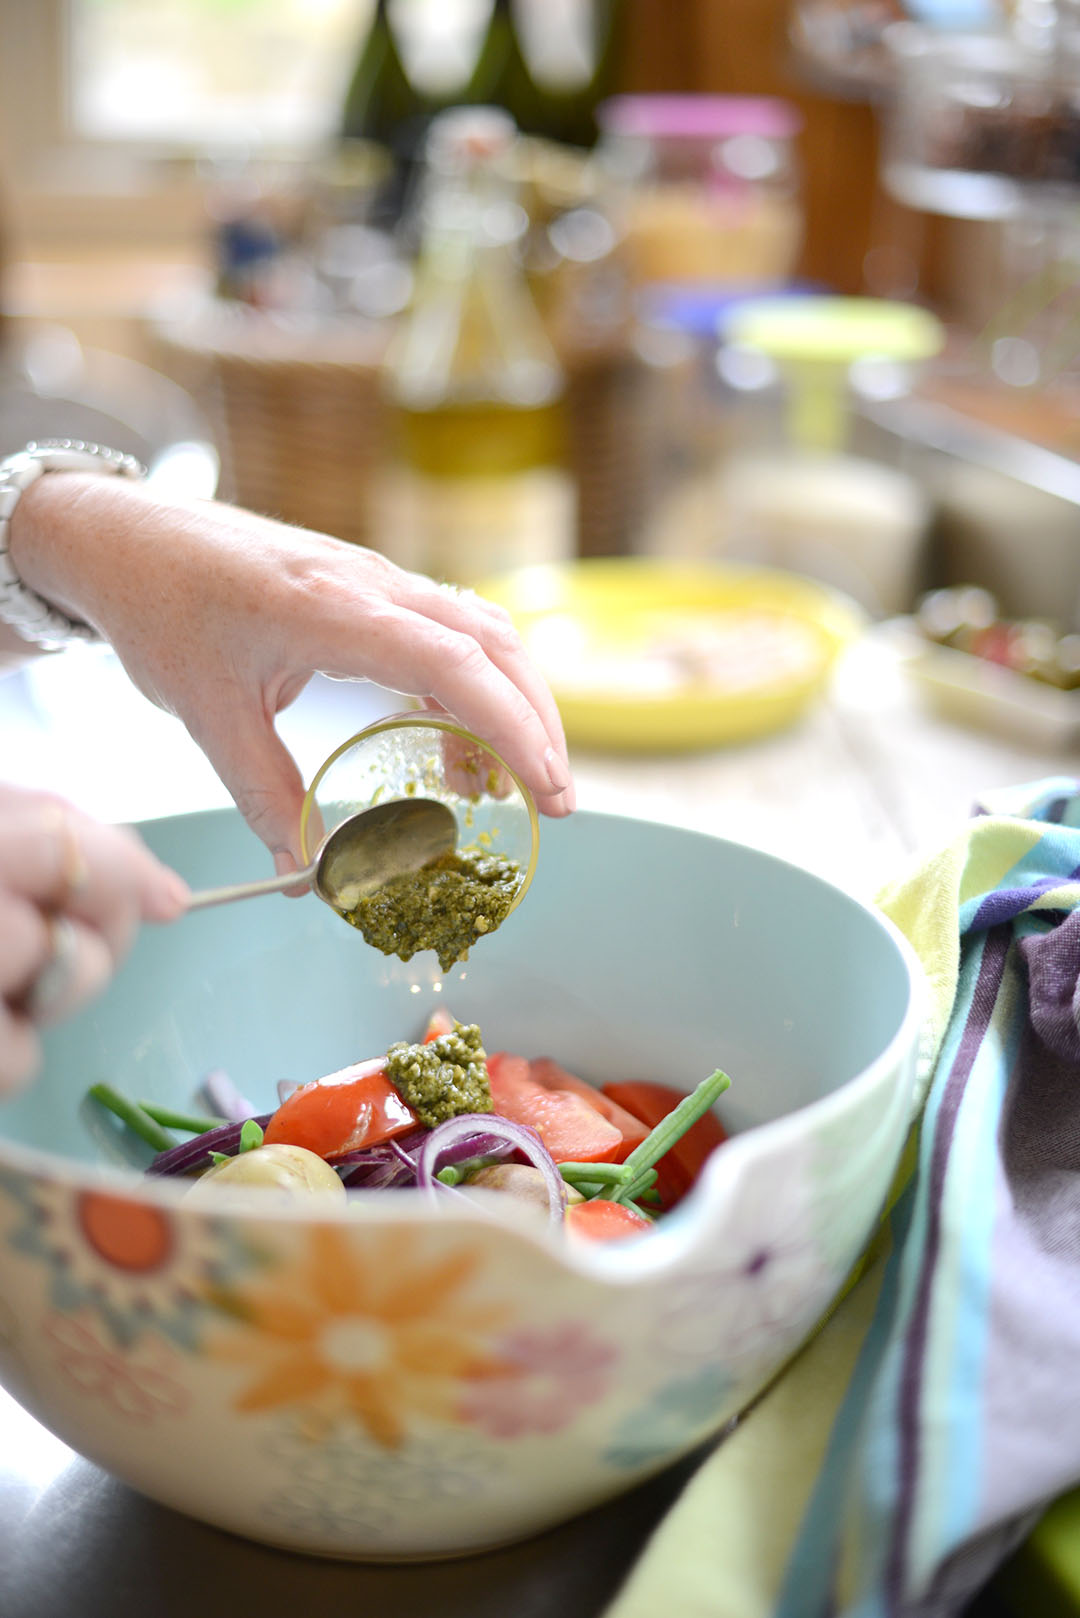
980, 1014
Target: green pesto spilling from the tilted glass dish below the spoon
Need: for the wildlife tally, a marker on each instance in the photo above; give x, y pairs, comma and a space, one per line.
444, 907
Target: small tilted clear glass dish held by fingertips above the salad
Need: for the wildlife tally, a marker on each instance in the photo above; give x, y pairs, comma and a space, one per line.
422, 755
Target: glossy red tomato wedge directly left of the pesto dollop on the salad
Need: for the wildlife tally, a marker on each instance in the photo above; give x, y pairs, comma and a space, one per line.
342, 1112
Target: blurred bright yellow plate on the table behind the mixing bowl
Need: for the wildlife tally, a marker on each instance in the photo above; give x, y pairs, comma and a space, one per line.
670, 658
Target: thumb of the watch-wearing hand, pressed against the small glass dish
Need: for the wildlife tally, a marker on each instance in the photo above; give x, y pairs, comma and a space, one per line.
261, 774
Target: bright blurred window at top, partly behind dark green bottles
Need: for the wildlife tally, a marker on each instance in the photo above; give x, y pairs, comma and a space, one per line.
192, 74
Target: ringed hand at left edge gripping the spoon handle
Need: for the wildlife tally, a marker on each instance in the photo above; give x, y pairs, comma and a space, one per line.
72, 897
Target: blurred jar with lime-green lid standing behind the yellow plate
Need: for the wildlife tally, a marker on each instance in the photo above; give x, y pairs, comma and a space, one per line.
796, 489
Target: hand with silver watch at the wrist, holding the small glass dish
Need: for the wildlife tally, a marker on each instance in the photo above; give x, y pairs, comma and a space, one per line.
223, 617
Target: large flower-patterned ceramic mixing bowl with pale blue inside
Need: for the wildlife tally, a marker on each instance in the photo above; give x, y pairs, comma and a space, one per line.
389, 1381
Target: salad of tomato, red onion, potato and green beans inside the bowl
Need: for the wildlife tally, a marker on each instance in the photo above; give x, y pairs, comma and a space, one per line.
441, 1116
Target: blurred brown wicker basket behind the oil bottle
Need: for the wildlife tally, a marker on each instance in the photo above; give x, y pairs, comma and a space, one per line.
302, 430
